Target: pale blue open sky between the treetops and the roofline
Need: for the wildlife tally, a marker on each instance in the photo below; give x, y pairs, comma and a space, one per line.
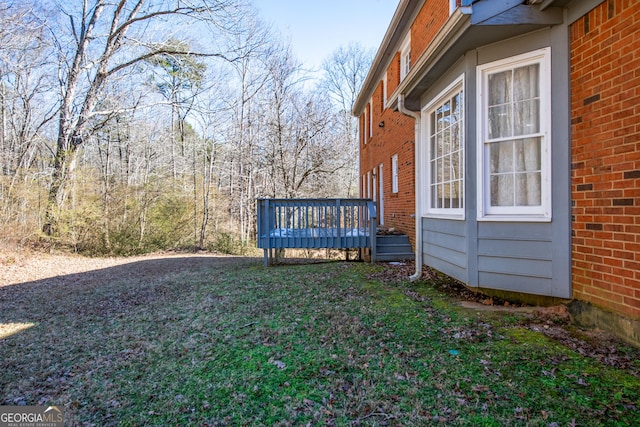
316, 28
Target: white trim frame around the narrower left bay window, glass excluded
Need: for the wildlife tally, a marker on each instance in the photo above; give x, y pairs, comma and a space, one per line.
452, 213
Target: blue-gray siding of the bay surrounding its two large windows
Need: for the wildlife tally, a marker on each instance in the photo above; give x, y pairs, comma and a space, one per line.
528, 257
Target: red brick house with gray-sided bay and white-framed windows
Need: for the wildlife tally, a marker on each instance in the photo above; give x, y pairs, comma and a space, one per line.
504, 136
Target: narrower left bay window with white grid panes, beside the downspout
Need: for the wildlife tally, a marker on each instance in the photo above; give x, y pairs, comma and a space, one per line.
445, 132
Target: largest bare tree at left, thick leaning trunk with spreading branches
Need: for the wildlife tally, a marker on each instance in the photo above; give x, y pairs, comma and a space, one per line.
107, 39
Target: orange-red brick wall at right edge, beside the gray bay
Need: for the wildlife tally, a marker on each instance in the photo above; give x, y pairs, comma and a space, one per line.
605, 124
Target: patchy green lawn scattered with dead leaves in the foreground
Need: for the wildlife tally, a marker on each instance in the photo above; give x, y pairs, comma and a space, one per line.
321, 344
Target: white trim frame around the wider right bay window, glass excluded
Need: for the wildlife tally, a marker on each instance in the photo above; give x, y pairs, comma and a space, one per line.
540, 213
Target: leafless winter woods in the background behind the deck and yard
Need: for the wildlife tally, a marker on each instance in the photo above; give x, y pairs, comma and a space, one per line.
135, 126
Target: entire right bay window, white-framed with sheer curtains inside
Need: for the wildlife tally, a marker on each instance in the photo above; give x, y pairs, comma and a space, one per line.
514, 143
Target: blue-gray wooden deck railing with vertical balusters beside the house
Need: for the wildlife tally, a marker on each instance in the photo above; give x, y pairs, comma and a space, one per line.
316, 224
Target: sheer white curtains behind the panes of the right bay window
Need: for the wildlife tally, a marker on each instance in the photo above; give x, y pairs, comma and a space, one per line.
515, 143
